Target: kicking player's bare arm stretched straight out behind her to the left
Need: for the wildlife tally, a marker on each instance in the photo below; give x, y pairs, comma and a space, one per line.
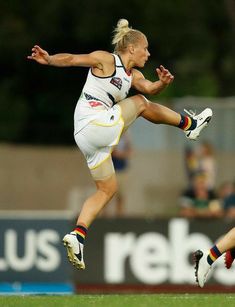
66, 59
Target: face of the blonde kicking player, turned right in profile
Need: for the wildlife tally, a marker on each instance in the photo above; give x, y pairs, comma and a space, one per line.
141, 52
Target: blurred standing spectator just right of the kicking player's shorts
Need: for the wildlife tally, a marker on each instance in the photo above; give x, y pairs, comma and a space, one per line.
121, 155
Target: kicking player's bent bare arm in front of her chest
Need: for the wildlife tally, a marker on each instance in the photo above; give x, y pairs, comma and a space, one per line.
148, 87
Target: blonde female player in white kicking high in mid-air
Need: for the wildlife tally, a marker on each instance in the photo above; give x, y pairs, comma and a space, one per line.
103, 112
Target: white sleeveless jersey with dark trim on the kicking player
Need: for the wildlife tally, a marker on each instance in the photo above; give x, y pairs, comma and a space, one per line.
101, 91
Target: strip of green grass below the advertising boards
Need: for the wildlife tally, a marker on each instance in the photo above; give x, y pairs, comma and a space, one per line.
134, 300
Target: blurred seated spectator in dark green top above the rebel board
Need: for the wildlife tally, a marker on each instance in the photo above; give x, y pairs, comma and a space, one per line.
199, 201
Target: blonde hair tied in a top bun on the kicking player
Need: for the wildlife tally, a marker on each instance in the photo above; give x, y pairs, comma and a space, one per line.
124, 35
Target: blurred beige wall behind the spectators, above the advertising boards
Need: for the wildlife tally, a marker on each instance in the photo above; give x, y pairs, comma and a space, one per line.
57, 178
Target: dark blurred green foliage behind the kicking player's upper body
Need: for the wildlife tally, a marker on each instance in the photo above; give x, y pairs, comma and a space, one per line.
195, 39
